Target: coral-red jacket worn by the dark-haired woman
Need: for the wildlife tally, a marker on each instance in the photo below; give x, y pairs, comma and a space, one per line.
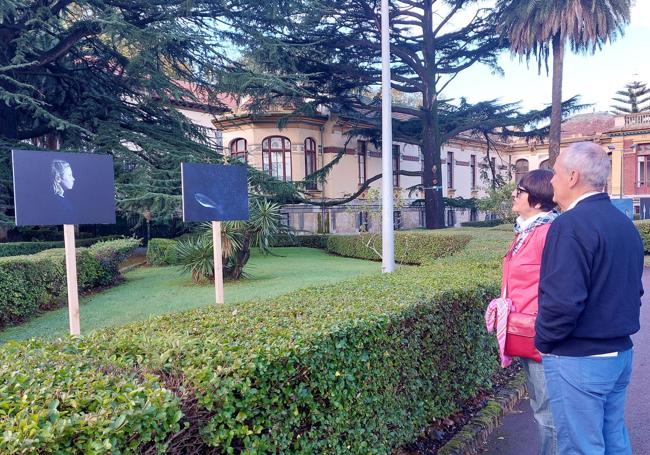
521, 271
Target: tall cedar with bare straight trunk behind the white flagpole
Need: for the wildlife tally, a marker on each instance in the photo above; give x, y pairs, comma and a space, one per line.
336, 45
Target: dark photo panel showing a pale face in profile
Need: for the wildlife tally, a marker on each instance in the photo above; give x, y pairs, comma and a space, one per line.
53, 188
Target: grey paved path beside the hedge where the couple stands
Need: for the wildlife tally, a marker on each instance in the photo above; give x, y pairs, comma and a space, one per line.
518, 436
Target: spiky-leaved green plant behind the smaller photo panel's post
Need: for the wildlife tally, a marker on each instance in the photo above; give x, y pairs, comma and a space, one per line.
265, 223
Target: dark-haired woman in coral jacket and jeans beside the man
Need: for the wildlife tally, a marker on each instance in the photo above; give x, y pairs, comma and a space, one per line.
532, 200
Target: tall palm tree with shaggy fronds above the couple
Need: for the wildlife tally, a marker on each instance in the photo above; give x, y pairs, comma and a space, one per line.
537, 27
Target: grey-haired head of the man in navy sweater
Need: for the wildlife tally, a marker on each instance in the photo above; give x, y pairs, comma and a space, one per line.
590, 160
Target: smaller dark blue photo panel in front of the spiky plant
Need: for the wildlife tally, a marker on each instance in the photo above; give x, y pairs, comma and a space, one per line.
213, 192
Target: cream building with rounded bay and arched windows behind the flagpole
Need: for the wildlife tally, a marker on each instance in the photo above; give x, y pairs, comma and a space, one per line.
290, 147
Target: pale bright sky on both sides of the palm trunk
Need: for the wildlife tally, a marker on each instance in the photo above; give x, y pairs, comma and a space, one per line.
595, 78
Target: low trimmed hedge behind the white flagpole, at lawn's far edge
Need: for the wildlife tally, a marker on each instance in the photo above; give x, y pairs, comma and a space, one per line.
411, 247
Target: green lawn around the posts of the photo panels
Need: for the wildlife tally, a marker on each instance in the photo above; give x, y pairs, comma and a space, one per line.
150, 291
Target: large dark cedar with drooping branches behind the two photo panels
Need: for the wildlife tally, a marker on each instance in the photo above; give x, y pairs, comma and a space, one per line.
99, 76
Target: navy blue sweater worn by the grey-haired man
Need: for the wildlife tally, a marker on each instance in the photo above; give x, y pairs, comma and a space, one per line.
590, 281
